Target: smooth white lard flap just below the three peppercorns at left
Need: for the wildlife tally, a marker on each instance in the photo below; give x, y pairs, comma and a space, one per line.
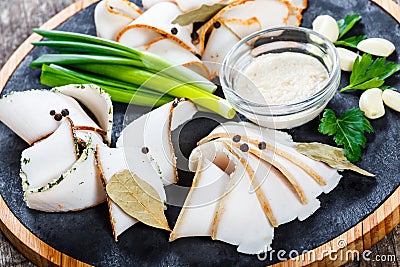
49, 158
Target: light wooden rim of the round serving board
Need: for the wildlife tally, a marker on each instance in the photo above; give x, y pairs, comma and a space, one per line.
360, 237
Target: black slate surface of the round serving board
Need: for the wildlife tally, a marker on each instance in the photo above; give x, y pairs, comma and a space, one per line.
87, 236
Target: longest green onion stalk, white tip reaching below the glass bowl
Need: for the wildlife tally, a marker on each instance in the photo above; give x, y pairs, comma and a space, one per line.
118, 69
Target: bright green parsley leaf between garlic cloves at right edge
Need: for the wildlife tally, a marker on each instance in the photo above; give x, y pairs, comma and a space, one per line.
368, 73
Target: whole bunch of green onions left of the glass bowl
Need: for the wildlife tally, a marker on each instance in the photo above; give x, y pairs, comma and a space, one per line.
127, 74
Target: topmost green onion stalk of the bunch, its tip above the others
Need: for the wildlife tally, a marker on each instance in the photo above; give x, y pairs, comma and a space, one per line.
149, 60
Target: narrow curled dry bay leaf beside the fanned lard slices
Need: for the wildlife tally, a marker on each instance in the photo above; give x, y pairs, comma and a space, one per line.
330, 155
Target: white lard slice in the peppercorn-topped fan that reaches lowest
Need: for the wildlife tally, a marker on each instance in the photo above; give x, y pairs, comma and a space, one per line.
241, 220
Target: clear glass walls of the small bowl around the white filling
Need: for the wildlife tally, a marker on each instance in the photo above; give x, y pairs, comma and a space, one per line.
279, 40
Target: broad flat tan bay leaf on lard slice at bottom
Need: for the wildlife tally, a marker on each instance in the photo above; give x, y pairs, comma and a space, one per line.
137, 198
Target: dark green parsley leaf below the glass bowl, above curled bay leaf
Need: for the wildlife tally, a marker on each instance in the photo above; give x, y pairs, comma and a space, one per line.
347, 131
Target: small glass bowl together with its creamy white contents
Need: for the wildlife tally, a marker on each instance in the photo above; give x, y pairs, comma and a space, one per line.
282, 109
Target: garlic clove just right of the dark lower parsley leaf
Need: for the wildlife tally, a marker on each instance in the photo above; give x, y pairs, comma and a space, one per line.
372, 104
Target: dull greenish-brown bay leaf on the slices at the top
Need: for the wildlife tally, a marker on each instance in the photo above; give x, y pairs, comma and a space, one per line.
202, 14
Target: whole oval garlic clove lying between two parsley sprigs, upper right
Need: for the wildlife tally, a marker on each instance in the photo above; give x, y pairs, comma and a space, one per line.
377, 47
